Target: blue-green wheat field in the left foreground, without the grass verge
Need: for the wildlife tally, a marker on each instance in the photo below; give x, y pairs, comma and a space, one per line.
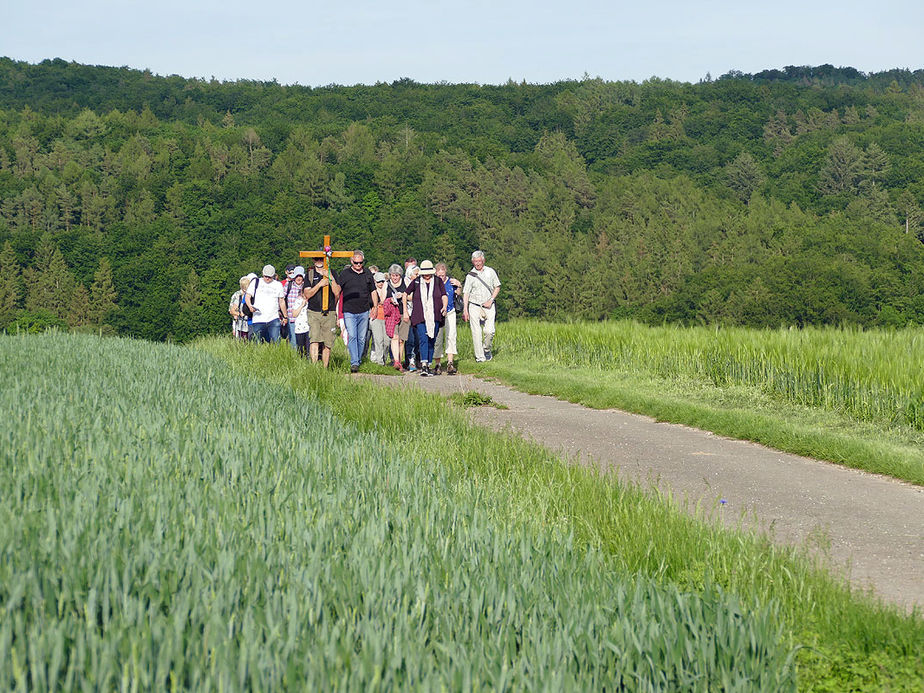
169, 523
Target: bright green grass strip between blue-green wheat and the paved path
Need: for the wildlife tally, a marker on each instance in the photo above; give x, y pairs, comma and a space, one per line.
855, 642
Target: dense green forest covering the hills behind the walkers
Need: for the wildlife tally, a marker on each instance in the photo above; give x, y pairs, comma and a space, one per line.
132, 203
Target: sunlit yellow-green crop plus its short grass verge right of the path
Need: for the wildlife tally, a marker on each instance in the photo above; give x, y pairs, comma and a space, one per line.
846, 395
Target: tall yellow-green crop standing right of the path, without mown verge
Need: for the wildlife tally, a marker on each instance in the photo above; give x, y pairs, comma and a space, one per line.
874, 375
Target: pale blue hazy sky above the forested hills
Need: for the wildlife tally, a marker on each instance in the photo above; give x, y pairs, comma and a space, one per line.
464, 41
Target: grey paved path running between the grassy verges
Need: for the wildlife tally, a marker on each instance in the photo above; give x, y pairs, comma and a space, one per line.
871, 525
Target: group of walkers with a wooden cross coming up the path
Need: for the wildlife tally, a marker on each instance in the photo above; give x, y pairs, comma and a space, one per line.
407, 315
